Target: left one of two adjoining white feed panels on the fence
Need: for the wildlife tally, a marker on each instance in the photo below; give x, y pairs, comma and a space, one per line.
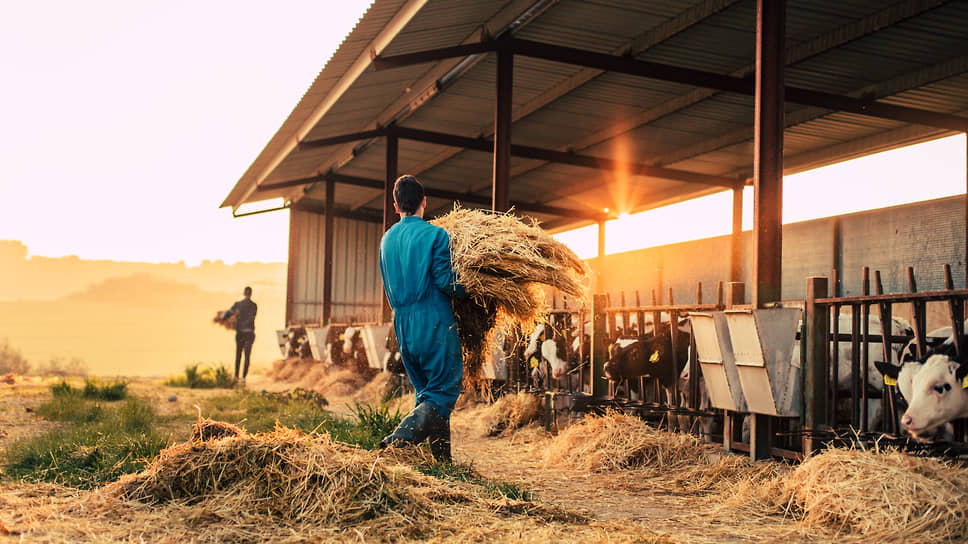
715, 354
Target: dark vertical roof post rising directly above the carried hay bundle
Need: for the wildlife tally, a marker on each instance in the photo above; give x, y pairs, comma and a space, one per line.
500, 195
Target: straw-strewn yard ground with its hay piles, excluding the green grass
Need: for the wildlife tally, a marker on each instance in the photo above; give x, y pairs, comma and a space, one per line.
607, 479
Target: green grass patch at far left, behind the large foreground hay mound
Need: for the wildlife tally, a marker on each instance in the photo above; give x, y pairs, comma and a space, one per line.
101, 443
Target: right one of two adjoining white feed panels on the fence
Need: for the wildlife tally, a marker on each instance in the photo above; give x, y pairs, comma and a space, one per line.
762, 342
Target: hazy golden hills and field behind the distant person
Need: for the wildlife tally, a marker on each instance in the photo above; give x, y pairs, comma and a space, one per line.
147, 322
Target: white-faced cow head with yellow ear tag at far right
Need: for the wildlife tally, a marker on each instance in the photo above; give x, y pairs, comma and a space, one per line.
935, 389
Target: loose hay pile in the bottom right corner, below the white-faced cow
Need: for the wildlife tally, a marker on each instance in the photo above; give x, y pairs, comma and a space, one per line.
880, 496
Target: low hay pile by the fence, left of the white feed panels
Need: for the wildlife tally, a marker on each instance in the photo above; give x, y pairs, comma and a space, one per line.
615, 440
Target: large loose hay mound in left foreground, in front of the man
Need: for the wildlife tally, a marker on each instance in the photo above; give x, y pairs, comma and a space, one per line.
286, 474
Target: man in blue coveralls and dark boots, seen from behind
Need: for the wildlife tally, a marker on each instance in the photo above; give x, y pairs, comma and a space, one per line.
419, 281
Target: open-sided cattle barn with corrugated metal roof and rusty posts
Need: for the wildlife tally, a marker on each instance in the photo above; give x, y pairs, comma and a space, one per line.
572, 111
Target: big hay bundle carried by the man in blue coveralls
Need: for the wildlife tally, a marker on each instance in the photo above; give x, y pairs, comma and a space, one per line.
503, 262
